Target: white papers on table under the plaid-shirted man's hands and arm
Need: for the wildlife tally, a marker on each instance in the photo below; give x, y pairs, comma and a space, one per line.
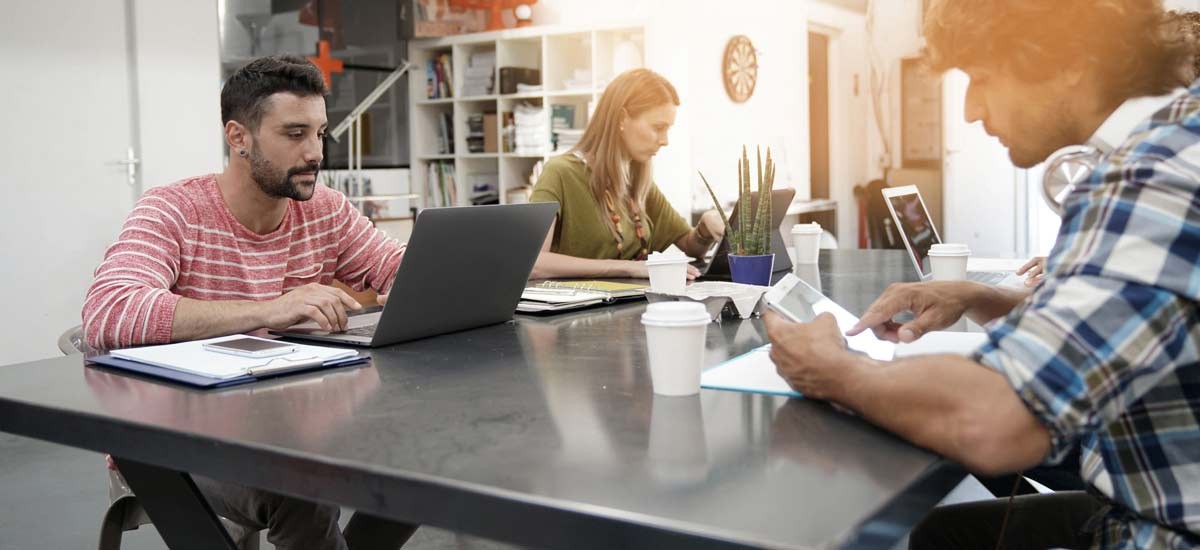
755, 373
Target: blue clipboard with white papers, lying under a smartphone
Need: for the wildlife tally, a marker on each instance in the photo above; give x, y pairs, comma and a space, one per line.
189, 364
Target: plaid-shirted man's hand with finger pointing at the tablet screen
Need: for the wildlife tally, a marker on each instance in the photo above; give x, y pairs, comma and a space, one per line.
937, 306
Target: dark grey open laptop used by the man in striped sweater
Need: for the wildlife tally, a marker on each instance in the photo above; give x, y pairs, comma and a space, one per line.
465, 267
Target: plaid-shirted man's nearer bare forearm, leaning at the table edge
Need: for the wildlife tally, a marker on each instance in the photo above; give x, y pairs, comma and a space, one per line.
951, 405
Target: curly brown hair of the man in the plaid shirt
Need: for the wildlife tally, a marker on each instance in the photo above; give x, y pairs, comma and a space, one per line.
1126, 43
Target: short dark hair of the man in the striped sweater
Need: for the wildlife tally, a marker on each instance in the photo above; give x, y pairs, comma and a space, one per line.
245, 93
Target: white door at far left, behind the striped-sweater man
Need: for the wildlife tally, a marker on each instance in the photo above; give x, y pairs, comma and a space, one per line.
68, 128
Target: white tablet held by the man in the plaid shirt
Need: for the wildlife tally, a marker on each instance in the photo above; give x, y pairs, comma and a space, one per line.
795, 300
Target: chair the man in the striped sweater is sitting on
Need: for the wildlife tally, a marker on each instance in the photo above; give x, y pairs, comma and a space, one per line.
125, 513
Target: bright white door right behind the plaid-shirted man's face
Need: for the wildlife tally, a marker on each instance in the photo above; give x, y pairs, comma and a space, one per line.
981, 186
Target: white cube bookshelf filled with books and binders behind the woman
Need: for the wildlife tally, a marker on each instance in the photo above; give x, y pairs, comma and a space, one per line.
573, 64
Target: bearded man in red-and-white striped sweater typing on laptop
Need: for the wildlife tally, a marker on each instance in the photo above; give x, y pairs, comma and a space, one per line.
255, 247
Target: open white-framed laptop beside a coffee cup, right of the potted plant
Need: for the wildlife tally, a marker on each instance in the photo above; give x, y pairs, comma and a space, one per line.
919, 235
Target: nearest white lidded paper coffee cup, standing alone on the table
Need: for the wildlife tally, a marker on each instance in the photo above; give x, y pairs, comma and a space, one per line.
675, 342
